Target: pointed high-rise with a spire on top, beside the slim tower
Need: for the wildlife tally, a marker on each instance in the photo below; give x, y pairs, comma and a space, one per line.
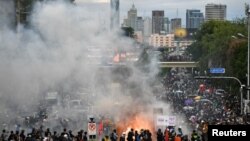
132, 17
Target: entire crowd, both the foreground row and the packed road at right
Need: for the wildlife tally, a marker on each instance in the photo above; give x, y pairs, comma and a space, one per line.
218, 109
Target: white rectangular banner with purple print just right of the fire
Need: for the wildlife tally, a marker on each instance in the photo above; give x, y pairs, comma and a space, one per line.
164, 120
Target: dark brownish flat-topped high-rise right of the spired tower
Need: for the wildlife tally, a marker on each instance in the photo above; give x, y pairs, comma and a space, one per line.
157, 21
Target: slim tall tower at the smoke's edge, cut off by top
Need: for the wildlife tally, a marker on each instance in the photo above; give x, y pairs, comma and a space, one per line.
115, 14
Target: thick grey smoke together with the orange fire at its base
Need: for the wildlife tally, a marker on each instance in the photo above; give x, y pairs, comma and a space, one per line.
64, 66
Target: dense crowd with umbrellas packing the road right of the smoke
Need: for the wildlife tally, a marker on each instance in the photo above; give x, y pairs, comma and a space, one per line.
209, 108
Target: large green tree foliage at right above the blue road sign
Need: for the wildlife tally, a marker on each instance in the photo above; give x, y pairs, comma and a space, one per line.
215, 47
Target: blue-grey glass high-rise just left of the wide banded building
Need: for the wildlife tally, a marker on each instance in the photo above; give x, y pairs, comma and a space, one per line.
194, 18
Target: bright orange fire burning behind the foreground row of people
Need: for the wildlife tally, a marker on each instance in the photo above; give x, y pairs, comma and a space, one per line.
137, 122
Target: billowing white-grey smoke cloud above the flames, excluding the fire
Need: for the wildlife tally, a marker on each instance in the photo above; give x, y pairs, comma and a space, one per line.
53, 54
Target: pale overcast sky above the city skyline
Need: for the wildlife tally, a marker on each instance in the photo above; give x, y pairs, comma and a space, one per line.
176, 8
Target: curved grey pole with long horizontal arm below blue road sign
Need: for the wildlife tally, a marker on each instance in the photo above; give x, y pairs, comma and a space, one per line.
227, 77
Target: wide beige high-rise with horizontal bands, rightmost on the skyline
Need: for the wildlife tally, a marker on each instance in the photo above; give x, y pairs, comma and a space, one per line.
215, 12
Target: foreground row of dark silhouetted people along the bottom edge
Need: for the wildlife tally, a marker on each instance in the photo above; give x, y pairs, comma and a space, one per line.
67, 135
